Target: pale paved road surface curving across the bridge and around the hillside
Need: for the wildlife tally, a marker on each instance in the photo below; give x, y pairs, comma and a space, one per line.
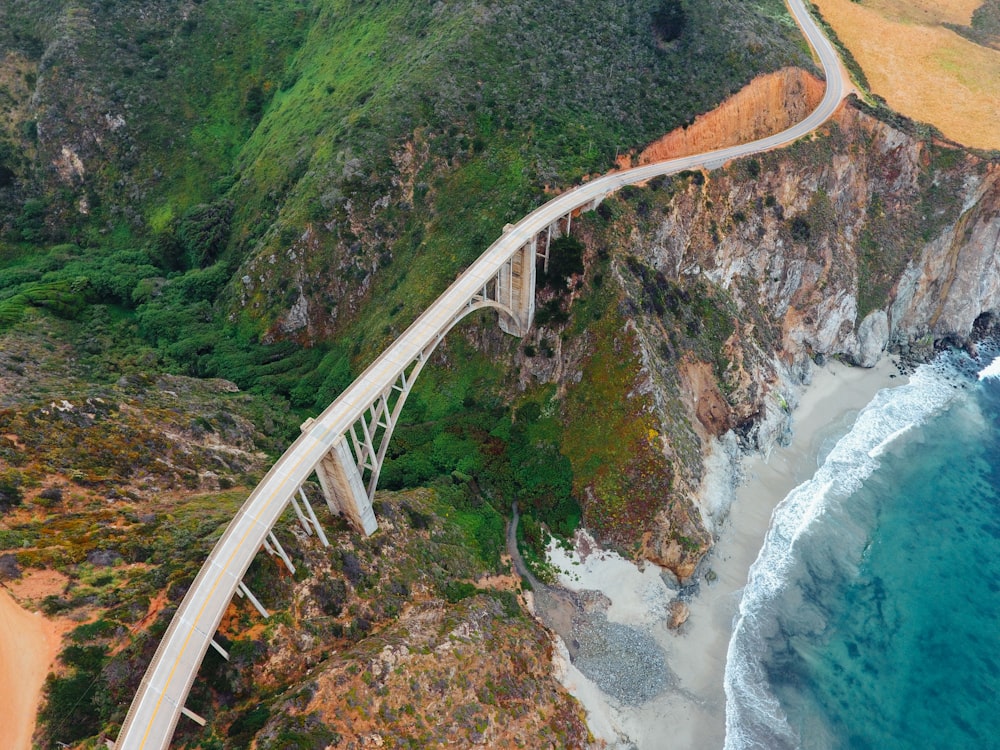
155, 711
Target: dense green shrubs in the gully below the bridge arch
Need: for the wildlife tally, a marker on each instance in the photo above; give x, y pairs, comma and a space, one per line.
477, 456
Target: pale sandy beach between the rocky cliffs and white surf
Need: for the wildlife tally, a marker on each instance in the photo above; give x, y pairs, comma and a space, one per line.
691, 712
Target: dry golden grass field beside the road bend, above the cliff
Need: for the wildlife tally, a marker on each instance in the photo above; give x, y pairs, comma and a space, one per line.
922, 68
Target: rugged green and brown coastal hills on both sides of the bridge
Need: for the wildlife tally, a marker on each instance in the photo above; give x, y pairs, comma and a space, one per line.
214, 215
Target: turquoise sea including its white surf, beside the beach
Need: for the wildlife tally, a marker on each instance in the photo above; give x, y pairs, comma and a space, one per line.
872, 616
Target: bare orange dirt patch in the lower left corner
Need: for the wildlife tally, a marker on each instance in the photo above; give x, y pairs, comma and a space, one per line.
28, 645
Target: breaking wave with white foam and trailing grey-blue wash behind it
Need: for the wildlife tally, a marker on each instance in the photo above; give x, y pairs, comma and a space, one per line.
776, 602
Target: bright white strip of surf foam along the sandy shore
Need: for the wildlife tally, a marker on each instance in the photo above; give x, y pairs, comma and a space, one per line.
754, 717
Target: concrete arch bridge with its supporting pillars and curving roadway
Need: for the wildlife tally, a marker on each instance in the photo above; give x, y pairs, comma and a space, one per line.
346, 444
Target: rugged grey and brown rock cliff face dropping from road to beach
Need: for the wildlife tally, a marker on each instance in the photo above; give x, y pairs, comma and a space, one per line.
869, 236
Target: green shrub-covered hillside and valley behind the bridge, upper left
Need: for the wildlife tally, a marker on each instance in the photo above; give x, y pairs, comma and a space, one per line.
275, 107
